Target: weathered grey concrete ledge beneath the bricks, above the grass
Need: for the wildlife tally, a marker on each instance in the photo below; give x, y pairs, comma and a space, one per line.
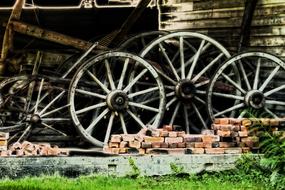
147, 165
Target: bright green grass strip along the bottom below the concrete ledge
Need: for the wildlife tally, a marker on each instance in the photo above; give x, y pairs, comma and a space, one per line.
217, 181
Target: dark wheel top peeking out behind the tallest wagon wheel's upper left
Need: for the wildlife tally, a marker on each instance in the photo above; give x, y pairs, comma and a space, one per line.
136, 43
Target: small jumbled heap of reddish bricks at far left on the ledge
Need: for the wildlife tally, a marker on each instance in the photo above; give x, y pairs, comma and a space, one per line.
30, 149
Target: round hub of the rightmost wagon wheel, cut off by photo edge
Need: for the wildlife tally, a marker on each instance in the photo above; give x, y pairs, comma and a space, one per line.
255, 99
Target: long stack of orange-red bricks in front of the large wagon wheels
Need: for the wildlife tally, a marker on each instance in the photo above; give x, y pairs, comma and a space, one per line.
227, 136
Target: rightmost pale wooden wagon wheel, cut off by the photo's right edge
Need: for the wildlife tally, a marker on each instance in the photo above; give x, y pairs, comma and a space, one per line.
255, 89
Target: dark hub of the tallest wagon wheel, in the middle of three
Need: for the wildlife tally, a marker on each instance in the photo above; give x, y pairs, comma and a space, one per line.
185, 89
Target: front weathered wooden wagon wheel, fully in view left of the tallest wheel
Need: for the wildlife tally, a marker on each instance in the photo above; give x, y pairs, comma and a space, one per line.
114, 104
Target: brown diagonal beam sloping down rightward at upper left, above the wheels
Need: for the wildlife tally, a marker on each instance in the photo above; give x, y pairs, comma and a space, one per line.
52, 36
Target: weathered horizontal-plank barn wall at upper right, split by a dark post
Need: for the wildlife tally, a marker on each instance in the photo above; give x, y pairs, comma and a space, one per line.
221, 19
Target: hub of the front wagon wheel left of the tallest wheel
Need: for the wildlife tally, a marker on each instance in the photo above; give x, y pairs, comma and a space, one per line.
117, 100
